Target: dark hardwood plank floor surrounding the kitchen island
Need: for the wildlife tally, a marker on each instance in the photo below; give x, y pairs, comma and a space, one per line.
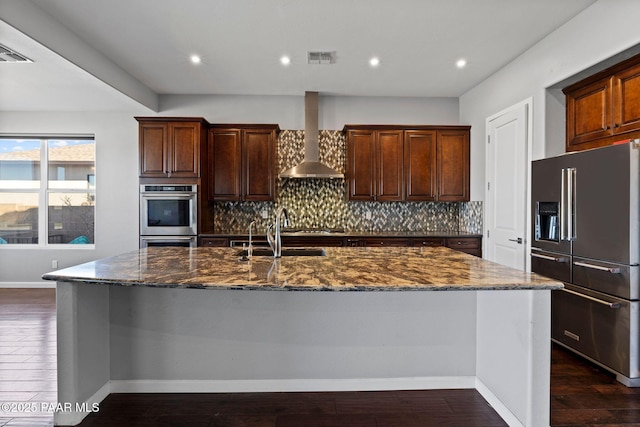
581, 393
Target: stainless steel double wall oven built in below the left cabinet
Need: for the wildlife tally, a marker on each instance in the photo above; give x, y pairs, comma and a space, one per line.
168, 215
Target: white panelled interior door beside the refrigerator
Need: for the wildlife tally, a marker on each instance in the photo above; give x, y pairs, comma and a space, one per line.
506, 190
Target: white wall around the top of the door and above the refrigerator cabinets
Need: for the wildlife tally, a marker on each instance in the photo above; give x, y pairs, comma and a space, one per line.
603, 30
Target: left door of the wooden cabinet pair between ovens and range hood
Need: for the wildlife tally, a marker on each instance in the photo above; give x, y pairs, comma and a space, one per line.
225, 164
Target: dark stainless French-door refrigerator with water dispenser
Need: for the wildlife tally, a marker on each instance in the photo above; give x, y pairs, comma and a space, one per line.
586, 207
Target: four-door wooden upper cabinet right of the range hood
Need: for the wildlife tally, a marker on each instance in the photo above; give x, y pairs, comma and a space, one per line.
417, 163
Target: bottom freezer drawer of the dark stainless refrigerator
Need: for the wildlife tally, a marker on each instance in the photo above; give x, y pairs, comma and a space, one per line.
599, 326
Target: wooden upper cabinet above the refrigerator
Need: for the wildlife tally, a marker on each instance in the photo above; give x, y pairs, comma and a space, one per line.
604, 108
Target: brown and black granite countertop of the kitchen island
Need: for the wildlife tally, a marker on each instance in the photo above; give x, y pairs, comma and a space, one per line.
342, 269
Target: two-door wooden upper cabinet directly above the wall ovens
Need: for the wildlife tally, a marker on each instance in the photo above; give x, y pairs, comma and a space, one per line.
170, 147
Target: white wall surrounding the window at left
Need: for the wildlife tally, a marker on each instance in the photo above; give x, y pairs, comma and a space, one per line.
116, 231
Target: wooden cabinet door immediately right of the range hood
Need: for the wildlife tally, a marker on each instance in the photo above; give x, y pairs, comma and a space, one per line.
361, 165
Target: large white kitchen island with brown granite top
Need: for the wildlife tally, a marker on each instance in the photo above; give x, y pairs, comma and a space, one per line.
200, 320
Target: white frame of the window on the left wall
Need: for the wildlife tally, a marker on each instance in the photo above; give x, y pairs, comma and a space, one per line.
45, 190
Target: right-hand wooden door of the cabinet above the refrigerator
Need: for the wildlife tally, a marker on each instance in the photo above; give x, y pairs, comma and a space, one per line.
627, 100
